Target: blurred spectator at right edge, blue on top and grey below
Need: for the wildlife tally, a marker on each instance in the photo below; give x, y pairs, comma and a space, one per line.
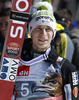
74, 34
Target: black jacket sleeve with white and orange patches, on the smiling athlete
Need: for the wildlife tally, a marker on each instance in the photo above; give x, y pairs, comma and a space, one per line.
70, 81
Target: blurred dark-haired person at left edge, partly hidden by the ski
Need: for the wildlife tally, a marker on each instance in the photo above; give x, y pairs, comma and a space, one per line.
4, 19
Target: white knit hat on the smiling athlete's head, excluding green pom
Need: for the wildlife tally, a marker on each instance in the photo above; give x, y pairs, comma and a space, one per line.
42, 17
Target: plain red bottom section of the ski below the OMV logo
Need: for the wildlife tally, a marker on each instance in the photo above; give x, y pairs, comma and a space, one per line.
6, 89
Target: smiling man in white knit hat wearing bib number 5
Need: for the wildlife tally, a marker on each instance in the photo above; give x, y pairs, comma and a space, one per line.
42, 75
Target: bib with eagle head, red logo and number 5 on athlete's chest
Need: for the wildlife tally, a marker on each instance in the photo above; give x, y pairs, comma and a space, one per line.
40, 78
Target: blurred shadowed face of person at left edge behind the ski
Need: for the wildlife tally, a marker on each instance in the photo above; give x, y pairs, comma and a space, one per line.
3, 25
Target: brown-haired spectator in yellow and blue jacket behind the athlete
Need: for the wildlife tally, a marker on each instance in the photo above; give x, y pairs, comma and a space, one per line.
62, 41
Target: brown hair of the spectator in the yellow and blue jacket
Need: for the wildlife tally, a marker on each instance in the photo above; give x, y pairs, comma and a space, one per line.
63, 15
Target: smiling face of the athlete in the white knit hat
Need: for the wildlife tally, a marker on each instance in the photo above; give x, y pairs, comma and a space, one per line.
41, 37
